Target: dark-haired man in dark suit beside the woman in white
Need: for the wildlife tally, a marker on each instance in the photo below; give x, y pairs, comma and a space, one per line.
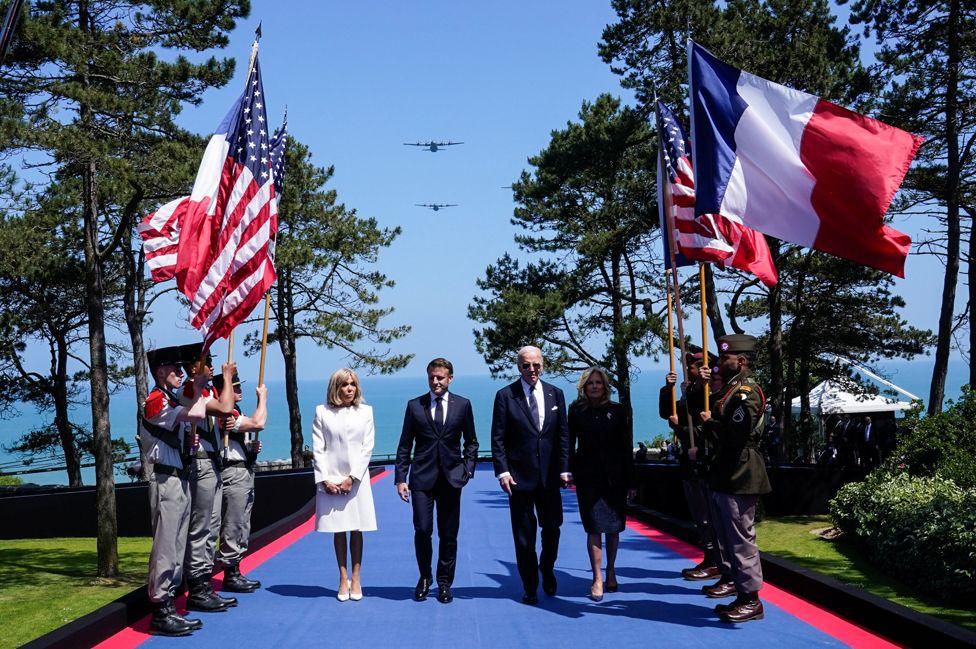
433, 427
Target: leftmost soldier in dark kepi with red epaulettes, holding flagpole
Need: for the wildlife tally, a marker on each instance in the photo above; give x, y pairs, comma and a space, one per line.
161, 434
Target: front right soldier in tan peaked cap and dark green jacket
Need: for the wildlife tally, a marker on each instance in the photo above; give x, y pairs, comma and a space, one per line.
737, 476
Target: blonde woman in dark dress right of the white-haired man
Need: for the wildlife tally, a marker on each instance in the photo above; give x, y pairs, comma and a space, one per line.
601, 455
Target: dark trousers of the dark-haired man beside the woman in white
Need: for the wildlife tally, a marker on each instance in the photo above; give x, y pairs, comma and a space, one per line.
448, 502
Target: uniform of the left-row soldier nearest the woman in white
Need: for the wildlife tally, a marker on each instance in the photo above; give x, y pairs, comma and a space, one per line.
237, 477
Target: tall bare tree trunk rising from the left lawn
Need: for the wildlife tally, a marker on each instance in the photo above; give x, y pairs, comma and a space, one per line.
107, 527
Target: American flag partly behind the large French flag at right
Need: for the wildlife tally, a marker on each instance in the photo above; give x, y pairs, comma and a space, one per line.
708, 237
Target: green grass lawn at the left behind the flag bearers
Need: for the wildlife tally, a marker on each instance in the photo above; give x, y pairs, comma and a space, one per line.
46, 583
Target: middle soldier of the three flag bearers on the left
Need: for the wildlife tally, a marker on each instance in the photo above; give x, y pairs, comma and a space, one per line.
205, 487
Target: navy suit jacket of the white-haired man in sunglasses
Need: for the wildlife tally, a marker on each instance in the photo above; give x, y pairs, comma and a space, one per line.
533, 457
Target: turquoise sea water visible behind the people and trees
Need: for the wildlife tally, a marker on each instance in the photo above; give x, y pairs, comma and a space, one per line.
389, 395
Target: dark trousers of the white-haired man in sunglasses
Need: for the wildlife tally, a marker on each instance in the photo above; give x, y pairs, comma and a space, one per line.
542, 507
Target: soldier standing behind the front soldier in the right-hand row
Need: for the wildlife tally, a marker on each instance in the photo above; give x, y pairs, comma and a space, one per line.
693, 472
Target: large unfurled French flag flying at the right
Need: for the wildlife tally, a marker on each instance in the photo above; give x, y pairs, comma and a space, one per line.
794, 166
